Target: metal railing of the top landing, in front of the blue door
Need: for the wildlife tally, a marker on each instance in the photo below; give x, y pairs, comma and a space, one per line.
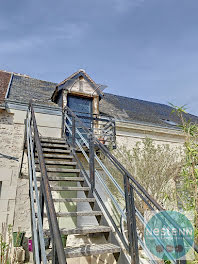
102, 126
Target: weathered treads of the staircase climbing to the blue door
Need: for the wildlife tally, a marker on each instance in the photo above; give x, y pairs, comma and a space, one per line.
58, 160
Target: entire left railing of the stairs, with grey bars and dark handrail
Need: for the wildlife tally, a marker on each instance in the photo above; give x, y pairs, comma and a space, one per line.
40, 198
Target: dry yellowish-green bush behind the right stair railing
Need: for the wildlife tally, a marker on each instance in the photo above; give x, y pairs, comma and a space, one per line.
154, 166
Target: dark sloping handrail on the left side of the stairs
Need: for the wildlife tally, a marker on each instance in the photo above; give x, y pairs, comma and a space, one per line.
58, 254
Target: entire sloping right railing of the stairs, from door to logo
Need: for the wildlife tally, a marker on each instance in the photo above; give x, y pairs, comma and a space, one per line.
129, 200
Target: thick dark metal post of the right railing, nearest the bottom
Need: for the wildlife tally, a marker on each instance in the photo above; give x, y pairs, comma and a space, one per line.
131, 221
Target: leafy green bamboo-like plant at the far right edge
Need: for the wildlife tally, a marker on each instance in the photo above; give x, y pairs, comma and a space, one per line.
188, 193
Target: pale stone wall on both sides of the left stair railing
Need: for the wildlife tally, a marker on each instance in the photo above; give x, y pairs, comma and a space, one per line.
14, 196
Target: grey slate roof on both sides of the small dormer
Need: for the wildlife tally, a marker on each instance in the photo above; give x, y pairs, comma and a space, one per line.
24, 88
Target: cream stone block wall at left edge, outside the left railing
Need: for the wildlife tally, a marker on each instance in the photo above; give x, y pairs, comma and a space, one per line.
11, 141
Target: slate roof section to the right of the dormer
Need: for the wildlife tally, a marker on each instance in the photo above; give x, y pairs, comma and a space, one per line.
135, 110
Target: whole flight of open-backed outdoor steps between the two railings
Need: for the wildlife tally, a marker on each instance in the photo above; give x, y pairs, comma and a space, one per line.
65, 177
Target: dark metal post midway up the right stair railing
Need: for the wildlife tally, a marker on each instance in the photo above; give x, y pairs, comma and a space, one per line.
91, 162
